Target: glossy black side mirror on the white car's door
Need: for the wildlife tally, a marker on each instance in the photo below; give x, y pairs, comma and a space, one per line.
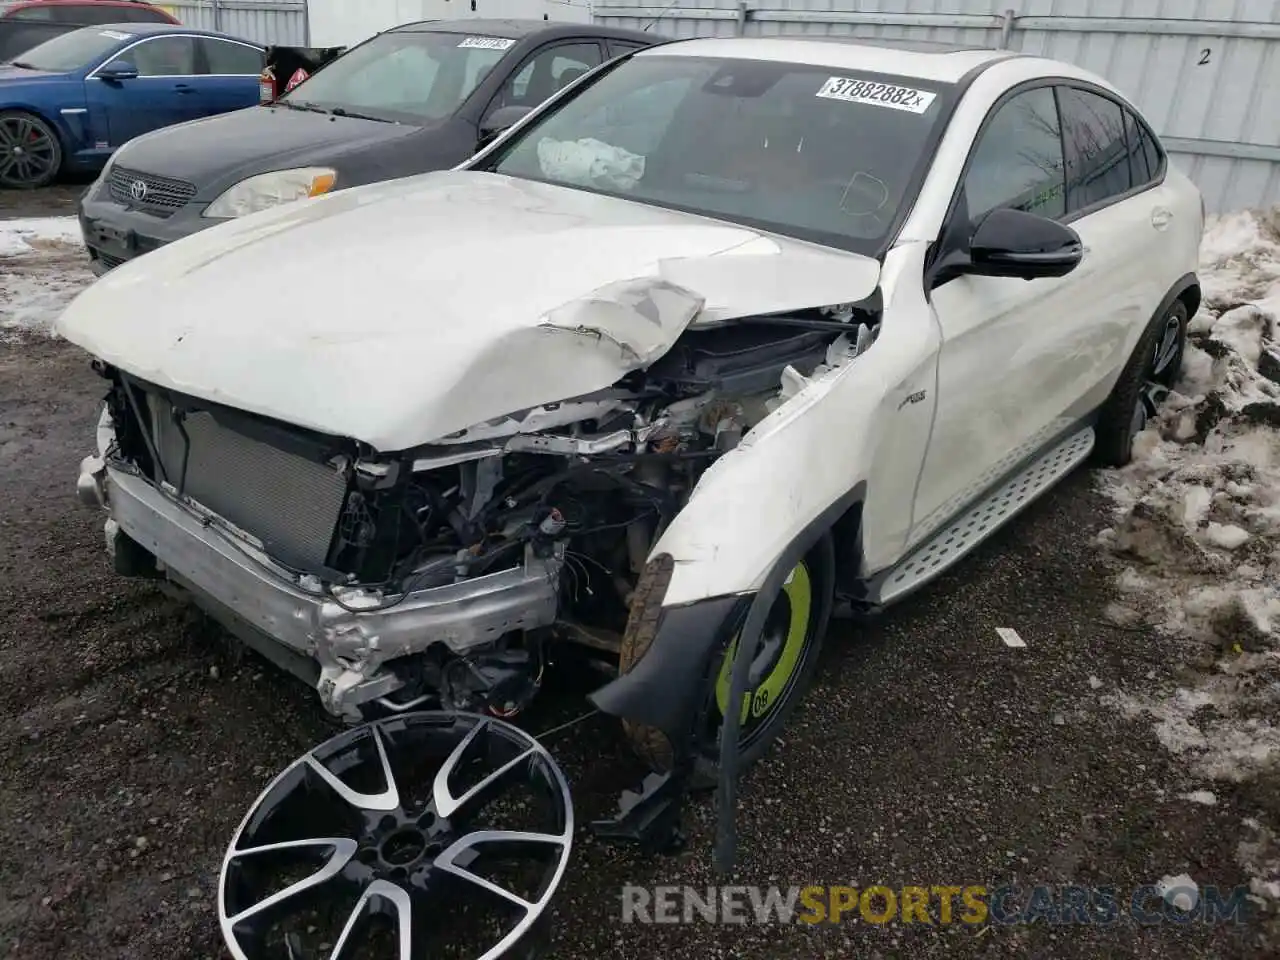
1017, 244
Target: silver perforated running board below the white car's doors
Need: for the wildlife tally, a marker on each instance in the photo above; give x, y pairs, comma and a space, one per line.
981, 520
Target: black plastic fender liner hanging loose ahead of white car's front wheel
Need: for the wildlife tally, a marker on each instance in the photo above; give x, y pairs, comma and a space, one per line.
664, 689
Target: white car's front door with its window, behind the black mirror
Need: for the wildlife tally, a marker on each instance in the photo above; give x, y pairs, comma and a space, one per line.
1016, 355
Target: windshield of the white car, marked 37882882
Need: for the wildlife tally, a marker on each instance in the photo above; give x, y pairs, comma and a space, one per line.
808, 152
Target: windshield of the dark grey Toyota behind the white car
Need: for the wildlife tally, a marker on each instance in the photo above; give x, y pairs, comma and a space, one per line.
405, 76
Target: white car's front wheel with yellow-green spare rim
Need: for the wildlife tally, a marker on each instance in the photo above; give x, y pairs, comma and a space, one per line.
779, 676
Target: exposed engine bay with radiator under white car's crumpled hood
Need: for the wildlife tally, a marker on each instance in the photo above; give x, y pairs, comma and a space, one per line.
574, 495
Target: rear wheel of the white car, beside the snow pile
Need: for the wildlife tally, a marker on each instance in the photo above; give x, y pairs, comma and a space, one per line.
1151, 372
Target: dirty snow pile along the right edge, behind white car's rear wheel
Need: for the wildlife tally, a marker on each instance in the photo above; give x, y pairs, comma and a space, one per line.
1199, 524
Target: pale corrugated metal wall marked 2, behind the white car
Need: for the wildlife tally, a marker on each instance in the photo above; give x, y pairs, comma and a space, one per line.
1205, 72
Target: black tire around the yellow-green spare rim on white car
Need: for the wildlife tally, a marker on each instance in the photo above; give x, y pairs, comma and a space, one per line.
653, 747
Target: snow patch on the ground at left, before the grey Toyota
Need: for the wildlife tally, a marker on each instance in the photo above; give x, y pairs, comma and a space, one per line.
43, 267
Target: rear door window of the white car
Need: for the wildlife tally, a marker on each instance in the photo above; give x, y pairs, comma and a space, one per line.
1098, 153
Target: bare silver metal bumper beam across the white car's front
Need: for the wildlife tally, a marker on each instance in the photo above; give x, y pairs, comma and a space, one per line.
350, 638
